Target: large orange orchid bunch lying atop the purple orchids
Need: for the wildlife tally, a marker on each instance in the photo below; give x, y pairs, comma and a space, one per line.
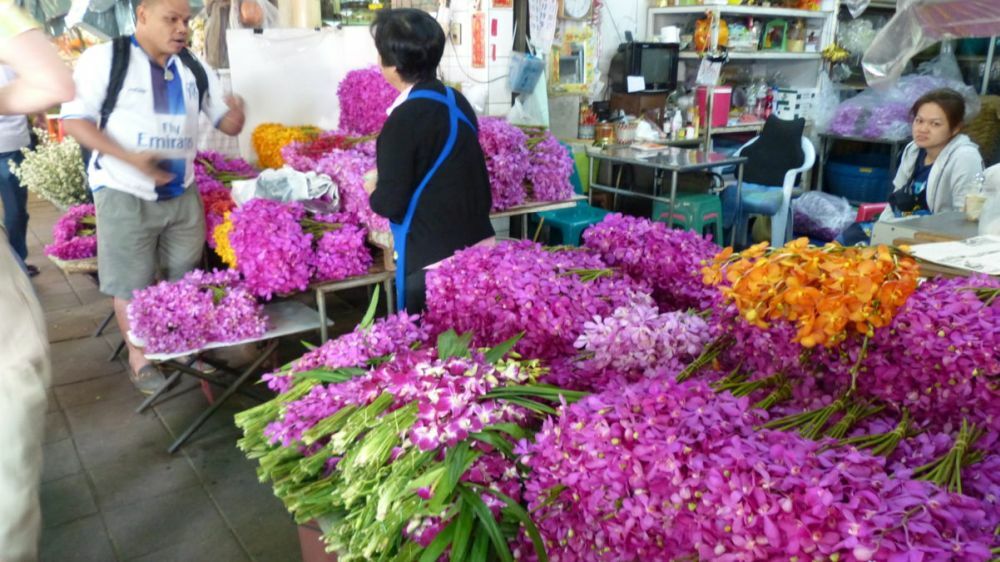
826, 292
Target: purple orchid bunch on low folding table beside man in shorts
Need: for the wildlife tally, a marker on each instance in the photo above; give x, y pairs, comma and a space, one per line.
200, 308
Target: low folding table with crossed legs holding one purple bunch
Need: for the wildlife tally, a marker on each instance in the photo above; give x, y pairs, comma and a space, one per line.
284, 319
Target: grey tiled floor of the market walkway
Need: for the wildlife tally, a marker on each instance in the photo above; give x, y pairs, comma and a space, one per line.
110, 490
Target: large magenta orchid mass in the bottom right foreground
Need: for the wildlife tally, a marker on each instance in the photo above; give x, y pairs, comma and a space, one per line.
659, 470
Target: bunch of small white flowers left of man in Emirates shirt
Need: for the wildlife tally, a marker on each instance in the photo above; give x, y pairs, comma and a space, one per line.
54, 170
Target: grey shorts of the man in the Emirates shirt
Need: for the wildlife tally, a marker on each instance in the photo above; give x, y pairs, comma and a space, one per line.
140, 241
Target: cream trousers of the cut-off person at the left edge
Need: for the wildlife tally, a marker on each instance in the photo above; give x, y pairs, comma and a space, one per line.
24, 376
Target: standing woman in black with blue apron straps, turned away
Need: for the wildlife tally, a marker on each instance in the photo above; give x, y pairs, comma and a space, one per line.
432, 181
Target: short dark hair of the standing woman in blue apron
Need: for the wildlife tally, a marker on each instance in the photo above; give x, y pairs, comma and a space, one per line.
411, 40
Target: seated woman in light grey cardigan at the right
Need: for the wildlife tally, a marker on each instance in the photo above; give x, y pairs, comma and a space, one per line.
936, 169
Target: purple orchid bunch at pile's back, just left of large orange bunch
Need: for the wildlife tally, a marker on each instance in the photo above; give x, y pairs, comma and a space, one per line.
670, 260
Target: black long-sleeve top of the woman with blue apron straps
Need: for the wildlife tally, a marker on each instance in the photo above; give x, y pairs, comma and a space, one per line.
453, 211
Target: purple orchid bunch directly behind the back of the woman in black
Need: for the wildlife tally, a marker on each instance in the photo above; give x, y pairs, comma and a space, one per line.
508, 161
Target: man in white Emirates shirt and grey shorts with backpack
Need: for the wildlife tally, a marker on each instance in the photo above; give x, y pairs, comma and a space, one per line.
142, 168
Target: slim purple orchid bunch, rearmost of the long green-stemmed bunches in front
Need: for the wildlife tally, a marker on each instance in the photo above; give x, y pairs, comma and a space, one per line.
385, 337
